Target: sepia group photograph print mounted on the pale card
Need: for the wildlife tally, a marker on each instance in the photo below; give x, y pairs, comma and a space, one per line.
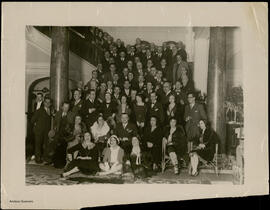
134, 105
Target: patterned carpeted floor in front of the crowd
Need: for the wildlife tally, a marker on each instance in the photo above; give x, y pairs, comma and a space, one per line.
47, 175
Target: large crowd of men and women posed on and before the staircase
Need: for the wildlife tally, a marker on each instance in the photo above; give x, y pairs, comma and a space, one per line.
139, 99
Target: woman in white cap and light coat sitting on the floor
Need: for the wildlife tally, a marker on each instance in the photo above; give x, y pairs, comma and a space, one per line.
112, 158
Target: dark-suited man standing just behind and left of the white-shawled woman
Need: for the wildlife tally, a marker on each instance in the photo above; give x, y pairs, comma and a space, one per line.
90, 109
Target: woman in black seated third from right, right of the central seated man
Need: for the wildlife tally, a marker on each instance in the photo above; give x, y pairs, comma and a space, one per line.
153, 141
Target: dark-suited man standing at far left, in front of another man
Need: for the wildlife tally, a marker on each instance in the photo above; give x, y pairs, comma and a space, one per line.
42, 125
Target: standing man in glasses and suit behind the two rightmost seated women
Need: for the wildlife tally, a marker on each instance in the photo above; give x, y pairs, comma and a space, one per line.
194, 112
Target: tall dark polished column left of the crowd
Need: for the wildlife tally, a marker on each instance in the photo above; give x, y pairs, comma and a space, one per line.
59, 66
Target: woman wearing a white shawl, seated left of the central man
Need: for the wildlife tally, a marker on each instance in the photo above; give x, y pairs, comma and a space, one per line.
100, 131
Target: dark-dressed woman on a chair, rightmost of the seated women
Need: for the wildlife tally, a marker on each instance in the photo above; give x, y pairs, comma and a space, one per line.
204, 148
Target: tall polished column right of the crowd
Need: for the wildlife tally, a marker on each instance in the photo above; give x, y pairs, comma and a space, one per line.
216, 83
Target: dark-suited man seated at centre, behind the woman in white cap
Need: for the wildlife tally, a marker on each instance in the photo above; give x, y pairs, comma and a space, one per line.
125, 131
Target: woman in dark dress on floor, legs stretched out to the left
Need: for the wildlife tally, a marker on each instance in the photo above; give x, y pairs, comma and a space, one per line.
86, 160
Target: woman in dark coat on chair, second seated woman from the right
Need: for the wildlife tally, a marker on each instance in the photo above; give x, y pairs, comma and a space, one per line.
175, 142
